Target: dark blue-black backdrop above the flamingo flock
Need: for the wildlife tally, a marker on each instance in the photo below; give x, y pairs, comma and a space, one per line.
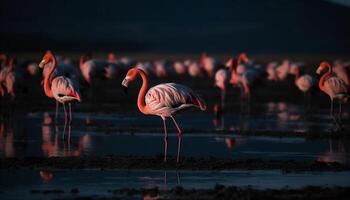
270, 26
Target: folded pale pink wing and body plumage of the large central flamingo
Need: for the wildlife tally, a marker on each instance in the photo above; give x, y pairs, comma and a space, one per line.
165, 99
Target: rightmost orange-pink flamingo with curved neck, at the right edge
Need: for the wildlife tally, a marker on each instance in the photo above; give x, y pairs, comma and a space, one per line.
333, 86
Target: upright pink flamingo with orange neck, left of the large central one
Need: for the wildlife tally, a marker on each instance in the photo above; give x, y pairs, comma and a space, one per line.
61, 88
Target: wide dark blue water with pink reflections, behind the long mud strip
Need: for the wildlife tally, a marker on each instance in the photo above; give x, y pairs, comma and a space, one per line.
32, 134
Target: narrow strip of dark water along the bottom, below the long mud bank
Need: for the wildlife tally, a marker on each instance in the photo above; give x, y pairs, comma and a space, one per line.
94, 182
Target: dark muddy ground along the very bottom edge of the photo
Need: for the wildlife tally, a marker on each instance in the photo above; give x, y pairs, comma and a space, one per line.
217, 192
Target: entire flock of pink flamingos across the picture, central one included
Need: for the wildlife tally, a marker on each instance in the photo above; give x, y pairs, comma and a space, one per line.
62, 81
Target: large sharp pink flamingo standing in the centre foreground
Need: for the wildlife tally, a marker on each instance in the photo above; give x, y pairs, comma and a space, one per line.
163, 100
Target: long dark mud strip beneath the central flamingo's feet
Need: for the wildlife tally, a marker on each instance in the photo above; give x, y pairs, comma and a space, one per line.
156, 163
